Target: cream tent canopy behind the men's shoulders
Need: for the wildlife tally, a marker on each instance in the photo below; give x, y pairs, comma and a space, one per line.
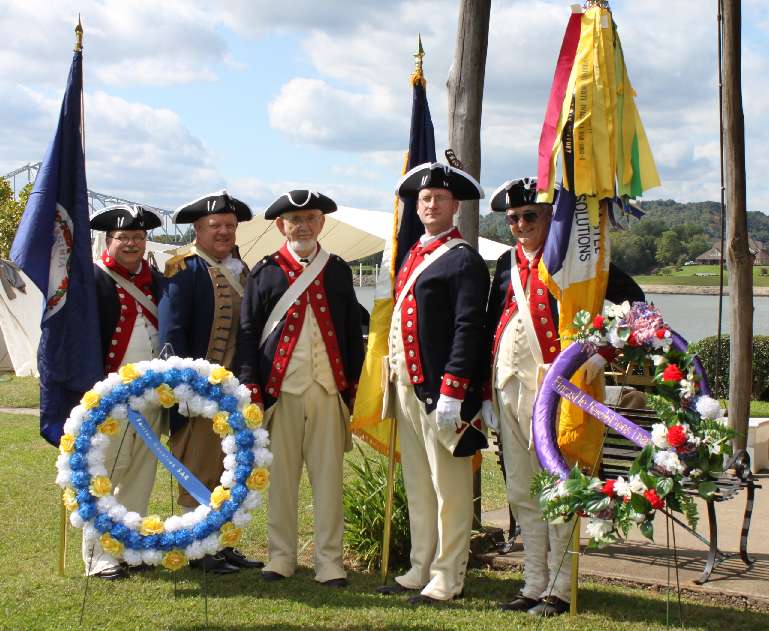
352, 233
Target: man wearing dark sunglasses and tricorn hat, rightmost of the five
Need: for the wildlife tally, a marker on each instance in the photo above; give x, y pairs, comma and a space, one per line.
513, 385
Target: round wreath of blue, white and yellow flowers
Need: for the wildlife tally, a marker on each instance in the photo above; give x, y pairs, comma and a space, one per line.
201, 389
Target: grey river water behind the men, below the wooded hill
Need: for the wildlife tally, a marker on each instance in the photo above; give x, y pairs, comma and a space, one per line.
694, 317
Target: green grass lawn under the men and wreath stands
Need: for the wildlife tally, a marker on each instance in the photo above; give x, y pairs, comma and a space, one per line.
33, 596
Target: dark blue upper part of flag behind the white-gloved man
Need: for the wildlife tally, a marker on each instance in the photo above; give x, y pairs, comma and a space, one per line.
421, 150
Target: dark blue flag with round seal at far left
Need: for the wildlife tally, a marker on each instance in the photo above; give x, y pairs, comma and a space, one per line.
53, 247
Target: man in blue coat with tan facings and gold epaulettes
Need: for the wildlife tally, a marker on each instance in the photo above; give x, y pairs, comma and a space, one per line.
199, 314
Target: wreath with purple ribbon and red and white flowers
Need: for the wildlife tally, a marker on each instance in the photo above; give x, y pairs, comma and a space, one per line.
689, 445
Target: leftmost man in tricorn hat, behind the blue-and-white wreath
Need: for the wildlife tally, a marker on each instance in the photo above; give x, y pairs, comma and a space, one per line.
127, 293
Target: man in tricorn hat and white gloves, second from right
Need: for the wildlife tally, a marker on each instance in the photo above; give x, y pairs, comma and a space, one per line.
437, 351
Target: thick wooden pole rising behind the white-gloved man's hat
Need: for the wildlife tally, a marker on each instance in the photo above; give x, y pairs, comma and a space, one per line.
465, 86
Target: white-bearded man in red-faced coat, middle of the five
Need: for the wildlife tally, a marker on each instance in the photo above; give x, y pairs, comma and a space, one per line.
301, 354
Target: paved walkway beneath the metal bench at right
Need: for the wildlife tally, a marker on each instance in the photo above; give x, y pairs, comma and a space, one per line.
642, 562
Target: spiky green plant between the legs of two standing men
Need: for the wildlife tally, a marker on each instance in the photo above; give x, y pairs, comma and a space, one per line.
364, 512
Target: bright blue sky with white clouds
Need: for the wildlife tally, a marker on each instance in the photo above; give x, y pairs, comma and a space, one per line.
185, 97
